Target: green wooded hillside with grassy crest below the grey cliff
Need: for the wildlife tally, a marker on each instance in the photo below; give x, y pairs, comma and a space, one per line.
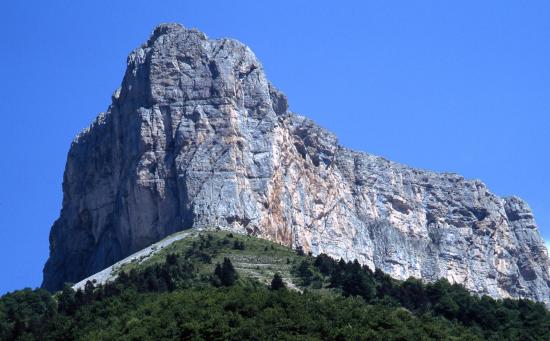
216, 285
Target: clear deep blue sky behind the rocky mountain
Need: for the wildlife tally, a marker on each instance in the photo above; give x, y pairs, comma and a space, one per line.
459, 86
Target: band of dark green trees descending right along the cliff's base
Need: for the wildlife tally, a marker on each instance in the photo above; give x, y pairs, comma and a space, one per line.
507, 319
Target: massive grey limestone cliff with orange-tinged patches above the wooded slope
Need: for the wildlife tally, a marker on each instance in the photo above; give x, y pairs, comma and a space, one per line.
197, 137
